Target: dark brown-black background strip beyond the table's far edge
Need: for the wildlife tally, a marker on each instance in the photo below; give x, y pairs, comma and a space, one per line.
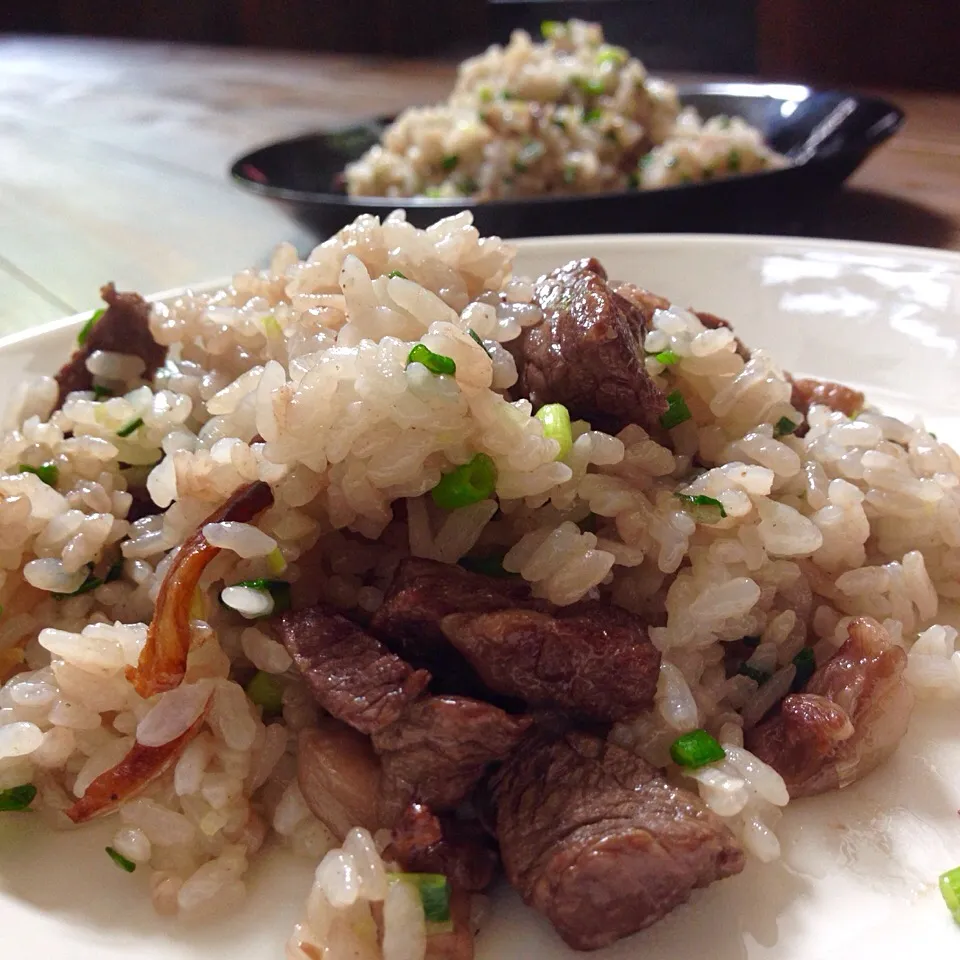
901, 43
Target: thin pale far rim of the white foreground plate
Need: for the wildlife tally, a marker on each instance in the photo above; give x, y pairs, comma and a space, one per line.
688, 240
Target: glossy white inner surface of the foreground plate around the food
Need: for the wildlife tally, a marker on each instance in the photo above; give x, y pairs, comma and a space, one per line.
859, 871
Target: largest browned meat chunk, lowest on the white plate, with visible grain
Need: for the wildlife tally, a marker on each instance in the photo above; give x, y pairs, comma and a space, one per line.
594, 838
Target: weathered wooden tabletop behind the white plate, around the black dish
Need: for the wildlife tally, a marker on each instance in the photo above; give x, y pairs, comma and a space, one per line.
113, 160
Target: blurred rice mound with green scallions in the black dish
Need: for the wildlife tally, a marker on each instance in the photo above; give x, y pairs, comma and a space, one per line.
570, 115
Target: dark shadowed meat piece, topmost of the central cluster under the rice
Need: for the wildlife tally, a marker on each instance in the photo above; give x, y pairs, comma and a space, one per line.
423, 592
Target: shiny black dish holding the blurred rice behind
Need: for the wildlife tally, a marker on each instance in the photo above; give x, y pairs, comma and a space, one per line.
827, 135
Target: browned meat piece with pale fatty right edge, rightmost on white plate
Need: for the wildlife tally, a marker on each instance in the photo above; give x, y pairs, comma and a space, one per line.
850, 718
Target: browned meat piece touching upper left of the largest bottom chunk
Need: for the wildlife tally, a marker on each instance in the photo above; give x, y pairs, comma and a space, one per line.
440, 749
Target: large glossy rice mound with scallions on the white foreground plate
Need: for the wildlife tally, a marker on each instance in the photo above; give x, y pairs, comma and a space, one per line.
297, 375
